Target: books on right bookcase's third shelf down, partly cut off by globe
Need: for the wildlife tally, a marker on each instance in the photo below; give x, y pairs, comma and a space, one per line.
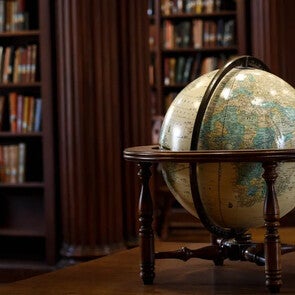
181, 70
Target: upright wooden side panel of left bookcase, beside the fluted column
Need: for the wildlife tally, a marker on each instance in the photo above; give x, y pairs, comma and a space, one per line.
48, 130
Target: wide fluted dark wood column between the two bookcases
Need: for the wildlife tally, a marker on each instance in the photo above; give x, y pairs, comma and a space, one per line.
103, 107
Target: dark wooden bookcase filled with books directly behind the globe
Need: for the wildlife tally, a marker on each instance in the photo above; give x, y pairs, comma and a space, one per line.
188, 39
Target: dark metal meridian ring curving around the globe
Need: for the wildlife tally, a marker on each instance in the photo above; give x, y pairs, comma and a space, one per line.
244, 62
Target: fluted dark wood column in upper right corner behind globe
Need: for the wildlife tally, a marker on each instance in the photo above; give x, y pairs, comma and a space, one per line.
272, 27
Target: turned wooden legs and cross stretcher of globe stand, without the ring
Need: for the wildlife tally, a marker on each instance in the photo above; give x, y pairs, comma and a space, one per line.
241, 248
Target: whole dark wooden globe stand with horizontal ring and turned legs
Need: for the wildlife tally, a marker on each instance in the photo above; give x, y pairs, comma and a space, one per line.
239, 247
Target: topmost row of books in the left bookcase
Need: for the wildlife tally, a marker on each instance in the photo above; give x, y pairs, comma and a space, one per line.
13, 16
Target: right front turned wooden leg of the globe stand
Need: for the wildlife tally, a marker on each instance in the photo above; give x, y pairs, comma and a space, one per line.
272, 245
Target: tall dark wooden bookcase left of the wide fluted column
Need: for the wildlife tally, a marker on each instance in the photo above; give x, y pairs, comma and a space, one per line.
27, 206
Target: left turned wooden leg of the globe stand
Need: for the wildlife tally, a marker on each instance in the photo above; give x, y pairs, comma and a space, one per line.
146, 234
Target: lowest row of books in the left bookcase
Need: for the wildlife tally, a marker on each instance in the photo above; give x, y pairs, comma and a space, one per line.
12, 163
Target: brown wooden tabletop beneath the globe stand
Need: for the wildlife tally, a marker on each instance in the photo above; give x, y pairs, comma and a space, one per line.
118, 274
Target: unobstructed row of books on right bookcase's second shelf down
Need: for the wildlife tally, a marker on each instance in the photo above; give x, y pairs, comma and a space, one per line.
198, 33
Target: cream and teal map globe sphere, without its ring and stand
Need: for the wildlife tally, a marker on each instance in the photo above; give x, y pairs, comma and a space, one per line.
249, 109
